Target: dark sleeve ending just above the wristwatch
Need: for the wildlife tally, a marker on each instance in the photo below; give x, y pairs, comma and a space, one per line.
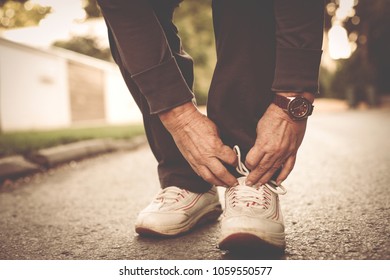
299, 34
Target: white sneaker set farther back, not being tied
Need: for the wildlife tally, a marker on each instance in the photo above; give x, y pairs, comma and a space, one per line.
175, 211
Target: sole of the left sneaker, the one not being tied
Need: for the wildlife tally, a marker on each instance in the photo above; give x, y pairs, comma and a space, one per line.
210, 216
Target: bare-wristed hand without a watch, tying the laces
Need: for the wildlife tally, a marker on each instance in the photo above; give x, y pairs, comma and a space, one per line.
197, 138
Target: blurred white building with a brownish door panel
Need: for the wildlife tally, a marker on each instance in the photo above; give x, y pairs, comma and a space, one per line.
55, 88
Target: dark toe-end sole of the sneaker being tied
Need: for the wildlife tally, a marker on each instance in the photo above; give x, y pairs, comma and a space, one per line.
250, 242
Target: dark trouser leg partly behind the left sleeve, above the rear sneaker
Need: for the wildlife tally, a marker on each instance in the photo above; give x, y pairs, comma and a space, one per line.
173, 169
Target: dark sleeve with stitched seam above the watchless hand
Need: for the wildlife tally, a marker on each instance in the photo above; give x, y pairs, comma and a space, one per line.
145, 53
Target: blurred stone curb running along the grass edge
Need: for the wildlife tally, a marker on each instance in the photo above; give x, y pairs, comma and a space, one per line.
13, 167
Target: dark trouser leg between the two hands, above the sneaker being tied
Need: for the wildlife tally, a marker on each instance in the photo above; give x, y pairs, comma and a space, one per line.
240, 90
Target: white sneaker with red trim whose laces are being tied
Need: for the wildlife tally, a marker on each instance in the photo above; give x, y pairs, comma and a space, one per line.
252, 218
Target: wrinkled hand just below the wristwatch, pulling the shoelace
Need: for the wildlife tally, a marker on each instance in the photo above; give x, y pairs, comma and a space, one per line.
276, 146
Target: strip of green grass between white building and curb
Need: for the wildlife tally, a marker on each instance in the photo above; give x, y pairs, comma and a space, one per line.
29, 141
